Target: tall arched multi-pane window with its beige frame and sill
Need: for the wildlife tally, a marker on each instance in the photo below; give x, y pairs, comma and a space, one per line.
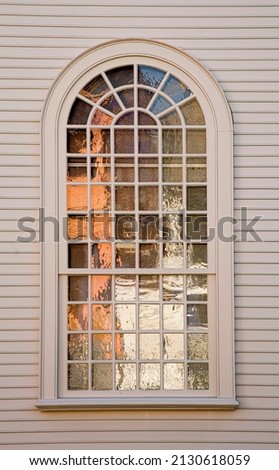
137, 169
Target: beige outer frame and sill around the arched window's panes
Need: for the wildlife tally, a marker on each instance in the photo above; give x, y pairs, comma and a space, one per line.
220, 171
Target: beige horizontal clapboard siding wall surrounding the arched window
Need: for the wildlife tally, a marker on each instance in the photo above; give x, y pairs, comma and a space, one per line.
238, 40
